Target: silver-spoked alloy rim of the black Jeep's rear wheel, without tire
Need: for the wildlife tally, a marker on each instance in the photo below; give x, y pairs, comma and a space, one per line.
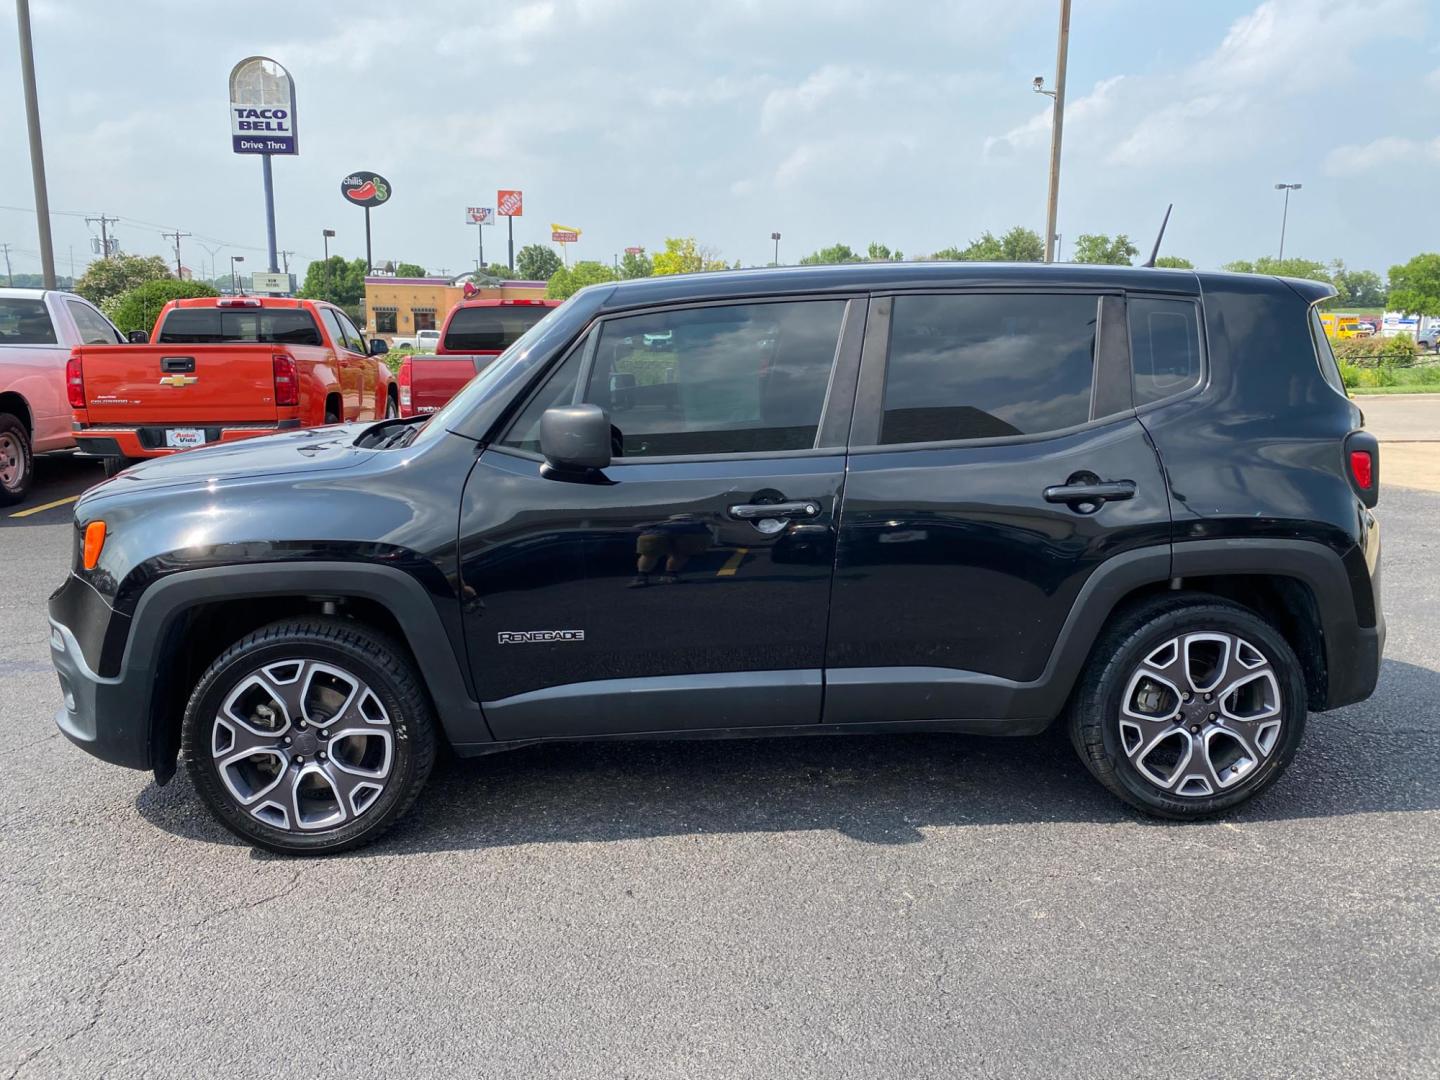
1202, 714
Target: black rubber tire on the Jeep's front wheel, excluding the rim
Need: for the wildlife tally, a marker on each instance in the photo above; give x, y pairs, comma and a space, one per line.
365, 654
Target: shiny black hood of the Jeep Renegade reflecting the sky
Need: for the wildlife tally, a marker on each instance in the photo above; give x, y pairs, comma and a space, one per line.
306, 451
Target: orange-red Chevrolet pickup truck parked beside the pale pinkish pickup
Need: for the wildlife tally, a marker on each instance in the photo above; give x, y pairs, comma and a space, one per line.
225, 369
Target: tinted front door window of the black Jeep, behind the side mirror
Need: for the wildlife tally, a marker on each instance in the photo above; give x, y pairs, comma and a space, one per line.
728, 379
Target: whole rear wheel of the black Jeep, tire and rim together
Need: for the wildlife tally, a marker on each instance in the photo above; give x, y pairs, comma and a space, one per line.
1190, 706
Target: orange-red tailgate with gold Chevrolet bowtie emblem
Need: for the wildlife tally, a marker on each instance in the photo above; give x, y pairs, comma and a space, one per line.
179, 384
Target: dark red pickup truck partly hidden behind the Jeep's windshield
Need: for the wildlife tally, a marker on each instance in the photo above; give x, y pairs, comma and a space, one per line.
474, 335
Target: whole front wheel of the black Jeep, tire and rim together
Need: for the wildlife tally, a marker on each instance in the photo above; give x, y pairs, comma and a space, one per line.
309, 737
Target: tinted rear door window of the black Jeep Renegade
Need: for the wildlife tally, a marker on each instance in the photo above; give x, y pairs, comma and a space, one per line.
989, 366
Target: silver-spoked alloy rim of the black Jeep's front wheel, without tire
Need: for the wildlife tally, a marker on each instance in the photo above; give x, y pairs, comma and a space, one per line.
303, 747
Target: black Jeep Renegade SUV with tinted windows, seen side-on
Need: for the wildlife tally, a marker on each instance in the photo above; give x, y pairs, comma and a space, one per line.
876, 498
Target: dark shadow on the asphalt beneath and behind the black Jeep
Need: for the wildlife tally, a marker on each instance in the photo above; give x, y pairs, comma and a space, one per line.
1377, 757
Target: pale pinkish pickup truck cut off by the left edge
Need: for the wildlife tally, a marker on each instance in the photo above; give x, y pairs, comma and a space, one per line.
38, 329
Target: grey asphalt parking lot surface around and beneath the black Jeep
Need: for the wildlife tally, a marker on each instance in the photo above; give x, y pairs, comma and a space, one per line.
909, 906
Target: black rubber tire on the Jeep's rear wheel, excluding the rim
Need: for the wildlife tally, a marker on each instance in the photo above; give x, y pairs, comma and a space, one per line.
1095, 721
